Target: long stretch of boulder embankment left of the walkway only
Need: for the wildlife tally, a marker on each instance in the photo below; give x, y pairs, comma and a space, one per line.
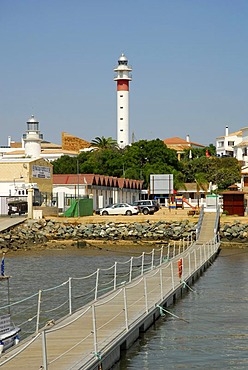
34, 232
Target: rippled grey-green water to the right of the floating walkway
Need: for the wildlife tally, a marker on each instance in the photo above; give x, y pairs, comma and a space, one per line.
216, 336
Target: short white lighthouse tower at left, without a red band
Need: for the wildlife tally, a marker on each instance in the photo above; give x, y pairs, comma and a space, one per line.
32, 139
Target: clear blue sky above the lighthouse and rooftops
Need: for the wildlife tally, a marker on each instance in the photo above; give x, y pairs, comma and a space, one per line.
189, 60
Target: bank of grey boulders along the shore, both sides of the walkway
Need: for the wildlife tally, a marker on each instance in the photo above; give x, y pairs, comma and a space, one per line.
45, 232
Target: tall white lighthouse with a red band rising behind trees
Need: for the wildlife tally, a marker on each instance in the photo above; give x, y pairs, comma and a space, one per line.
123, 77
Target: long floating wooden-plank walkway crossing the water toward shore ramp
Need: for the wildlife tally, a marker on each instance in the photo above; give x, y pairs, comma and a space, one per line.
81, 340
